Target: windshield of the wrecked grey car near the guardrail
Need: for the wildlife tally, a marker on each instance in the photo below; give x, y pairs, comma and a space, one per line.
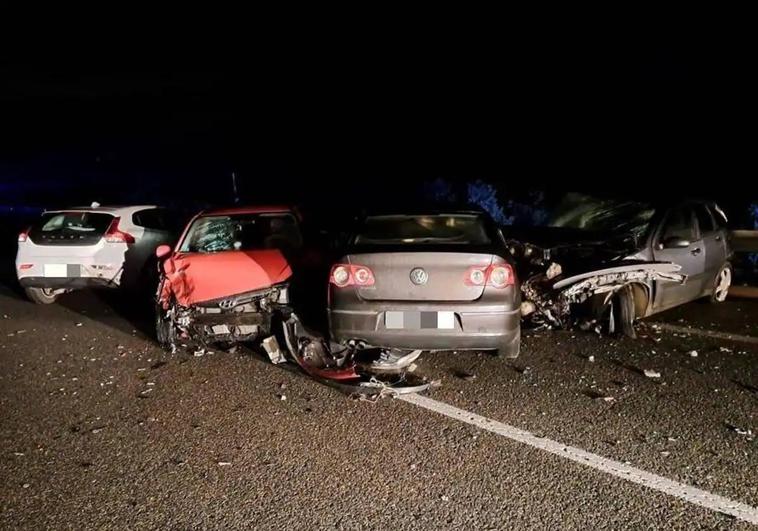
583, 212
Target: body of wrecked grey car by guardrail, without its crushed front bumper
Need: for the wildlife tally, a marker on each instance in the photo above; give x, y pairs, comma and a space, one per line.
587, 233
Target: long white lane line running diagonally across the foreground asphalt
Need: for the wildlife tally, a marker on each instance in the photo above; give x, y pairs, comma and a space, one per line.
615, 468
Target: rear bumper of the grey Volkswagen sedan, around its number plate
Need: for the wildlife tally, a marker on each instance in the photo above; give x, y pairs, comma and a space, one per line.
476, 327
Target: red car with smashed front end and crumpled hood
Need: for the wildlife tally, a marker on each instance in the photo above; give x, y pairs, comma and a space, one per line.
227, 273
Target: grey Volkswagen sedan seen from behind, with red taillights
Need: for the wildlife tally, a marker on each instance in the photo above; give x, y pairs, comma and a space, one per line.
429, 281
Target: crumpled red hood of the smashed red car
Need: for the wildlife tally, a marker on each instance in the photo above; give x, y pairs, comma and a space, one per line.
196, 277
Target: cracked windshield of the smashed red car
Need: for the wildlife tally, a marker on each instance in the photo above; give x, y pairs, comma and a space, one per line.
242, 232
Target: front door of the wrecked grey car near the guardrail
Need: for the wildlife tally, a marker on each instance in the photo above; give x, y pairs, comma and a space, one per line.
677, 241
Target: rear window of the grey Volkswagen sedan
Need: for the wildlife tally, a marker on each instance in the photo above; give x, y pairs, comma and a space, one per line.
414, 229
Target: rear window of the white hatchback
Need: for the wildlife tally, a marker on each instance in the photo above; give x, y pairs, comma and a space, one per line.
70, 227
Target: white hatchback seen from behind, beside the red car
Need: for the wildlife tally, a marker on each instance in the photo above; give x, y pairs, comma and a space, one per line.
93, 246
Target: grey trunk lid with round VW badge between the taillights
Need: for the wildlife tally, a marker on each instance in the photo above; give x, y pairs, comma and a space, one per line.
443, 277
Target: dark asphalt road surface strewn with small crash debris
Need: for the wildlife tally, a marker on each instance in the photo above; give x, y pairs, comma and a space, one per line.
102, 429
